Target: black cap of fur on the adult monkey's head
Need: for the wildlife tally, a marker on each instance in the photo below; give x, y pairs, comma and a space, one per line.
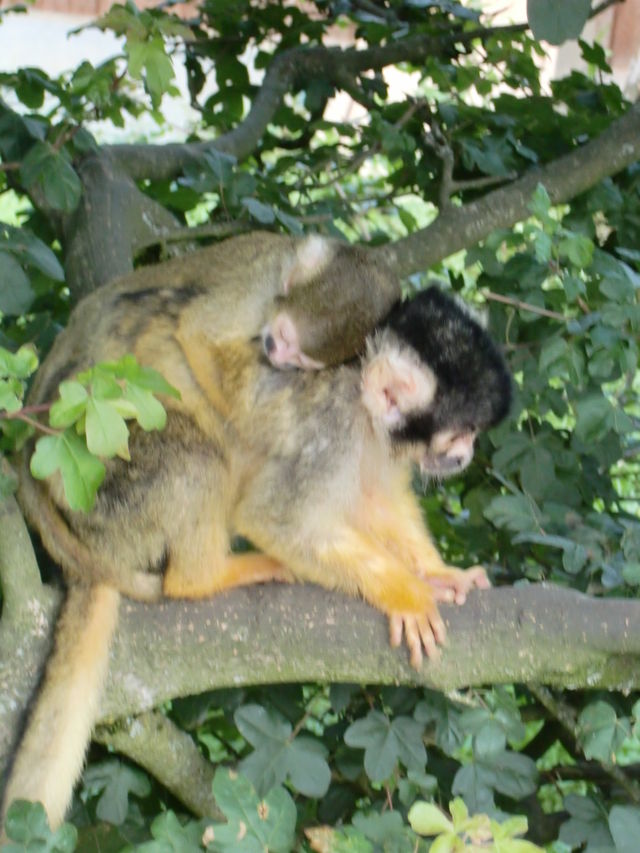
474, 385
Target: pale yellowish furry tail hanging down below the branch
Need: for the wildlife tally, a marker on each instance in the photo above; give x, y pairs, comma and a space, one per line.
50, 755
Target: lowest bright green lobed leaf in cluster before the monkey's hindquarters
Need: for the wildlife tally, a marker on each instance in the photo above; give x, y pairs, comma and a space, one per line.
81, 472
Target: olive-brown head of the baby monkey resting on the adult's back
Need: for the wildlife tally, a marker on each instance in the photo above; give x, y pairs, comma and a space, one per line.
332, 297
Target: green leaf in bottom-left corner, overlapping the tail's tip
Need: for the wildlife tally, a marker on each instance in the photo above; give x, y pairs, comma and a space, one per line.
27, 824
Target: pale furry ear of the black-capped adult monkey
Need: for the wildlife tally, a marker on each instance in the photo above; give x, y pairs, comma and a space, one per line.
395, 382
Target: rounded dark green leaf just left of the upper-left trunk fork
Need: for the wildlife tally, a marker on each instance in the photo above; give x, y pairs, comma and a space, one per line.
52, 172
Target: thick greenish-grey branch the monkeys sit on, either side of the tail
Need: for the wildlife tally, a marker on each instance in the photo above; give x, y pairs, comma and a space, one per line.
280, 633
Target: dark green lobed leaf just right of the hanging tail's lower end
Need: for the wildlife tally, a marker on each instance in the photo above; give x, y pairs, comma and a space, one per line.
116, 781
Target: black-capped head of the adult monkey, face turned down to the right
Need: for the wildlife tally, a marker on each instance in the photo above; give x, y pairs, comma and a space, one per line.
434, 379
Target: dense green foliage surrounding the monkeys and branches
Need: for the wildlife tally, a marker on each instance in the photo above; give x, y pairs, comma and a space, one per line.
554, 492
